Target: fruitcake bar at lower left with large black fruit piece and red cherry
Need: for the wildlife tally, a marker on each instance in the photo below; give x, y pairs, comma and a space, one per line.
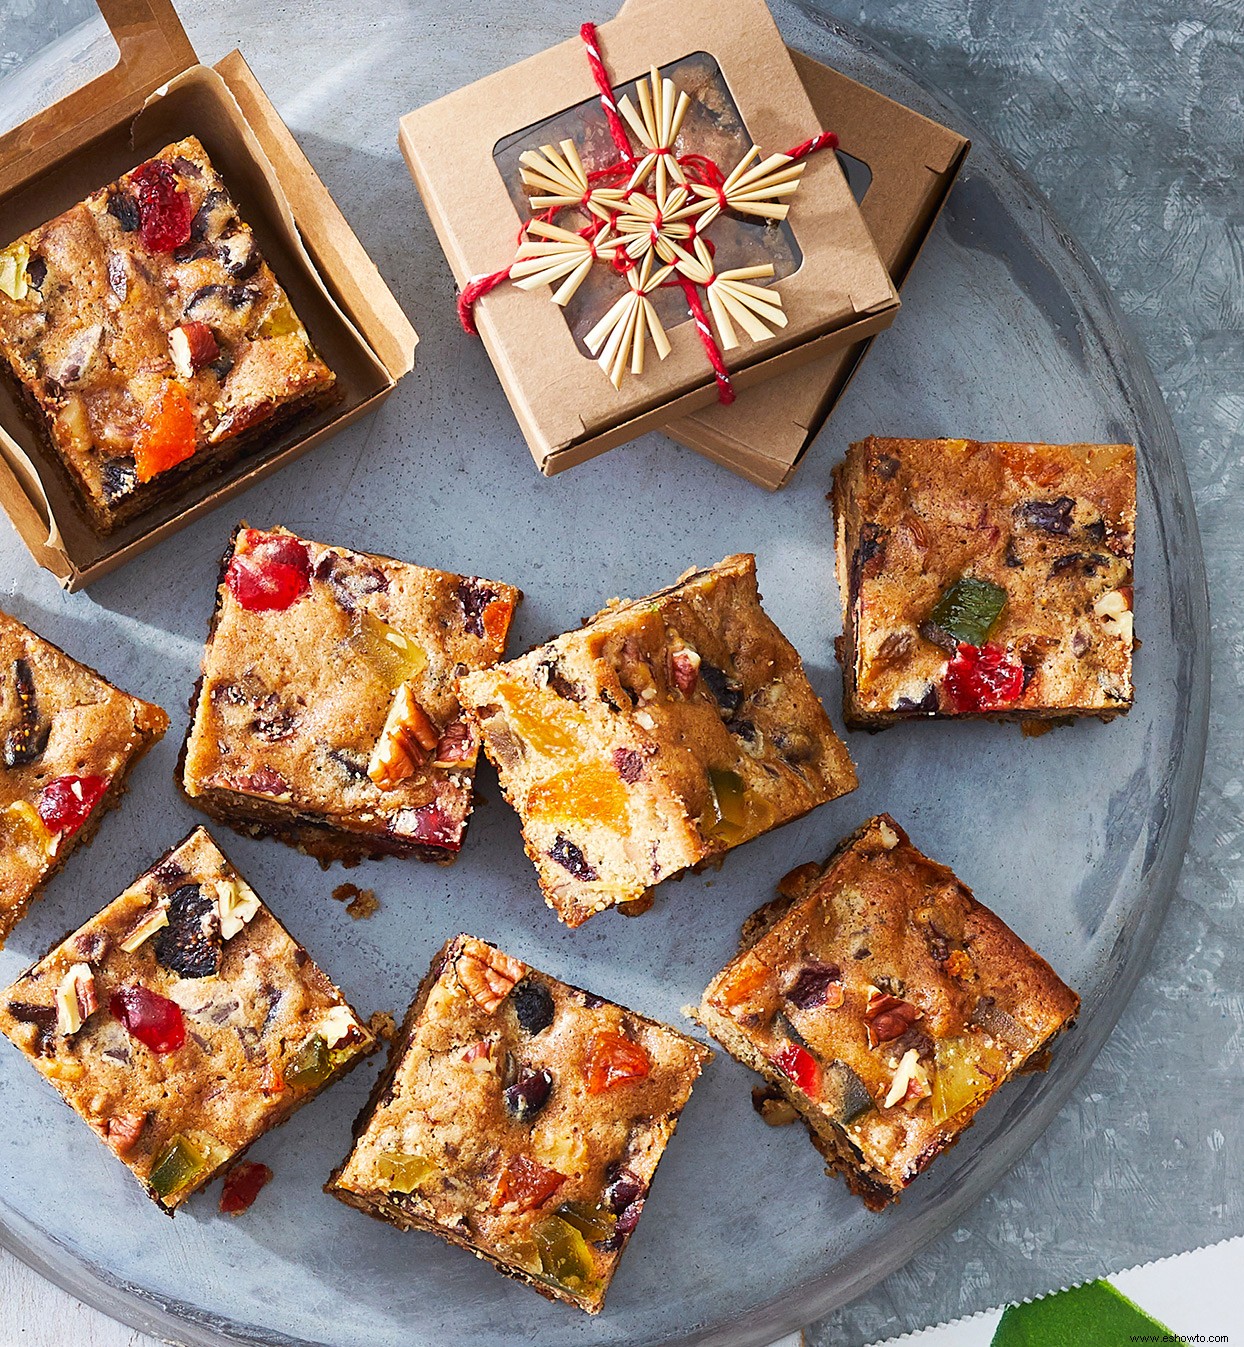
184, 1022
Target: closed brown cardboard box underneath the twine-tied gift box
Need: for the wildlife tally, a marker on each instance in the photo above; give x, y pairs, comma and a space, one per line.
908, 166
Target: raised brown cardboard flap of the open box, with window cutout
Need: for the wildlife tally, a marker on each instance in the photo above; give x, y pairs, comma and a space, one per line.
154, 49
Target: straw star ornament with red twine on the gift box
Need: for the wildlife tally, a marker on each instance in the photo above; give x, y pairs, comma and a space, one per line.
647, 219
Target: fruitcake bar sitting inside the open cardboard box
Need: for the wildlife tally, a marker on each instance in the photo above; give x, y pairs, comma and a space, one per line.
150, 336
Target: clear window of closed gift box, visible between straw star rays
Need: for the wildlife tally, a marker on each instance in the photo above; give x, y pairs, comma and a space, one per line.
714, 129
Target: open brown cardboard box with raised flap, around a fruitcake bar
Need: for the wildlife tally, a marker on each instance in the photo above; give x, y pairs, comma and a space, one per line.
160, 94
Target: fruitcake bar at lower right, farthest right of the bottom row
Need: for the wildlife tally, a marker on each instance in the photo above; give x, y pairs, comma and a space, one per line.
885, 1004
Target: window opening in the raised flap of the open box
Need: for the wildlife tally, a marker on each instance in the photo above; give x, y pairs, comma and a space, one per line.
59, 46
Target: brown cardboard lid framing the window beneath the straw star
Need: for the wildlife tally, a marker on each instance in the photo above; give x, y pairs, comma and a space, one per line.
559, 395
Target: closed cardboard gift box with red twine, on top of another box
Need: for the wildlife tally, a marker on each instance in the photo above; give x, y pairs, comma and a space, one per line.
464, 154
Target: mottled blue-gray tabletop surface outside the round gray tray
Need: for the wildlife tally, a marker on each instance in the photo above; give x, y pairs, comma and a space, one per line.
1132, 119
